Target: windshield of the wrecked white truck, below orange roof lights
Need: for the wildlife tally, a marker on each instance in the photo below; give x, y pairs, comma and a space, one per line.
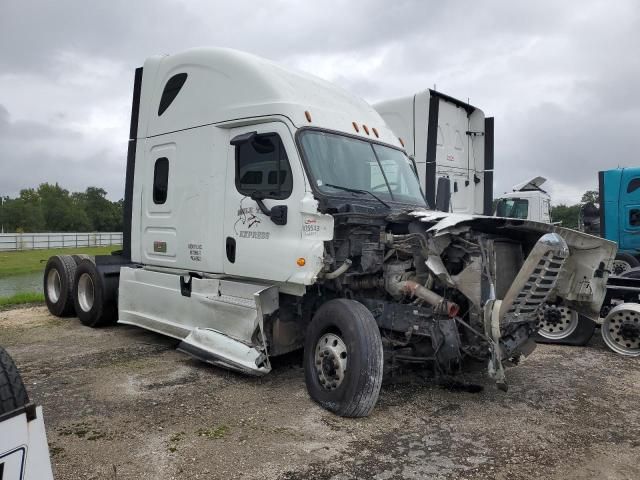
338, 161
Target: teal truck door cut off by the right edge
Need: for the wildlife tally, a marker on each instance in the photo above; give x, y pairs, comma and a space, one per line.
630, 210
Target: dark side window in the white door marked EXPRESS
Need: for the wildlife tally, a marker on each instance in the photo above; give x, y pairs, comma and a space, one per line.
262, 166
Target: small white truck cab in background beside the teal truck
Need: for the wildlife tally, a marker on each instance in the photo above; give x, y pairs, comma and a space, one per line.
527, 201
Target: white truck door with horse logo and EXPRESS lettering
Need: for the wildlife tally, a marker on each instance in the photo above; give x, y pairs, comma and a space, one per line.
263, 163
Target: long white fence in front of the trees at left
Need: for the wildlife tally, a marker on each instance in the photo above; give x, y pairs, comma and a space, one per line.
32, 241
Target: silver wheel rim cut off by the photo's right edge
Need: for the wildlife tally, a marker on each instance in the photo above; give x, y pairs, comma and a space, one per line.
617, 332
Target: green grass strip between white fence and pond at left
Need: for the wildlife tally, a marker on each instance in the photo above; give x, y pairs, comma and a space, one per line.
33, 261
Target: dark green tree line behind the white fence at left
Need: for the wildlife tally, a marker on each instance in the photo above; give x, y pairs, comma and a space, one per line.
51, 208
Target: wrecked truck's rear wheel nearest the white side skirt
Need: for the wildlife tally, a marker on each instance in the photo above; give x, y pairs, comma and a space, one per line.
94, 296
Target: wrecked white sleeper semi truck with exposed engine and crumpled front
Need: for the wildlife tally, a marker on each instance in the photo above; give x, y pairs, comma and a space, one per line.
267, 210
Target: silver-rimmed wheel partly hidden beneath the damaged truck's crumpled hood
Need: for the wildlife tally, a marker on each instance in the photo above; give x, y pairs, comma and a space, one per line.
576, 330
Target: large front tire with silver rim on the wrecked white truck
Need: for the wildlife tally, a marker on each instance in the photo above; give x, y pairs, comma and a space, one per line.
344, 337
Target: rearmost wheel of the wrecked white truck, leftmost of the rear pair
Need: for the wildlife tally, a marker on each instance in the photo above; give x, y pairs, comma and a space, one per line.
59, 274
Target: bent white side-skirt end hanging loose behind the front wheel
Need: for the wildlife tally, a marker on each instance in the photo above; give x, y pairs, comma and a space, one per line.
219, 349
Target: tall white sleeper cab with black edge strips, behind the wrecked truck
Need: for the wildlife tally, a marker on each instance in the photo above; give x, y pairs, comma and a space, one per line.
451, 143
